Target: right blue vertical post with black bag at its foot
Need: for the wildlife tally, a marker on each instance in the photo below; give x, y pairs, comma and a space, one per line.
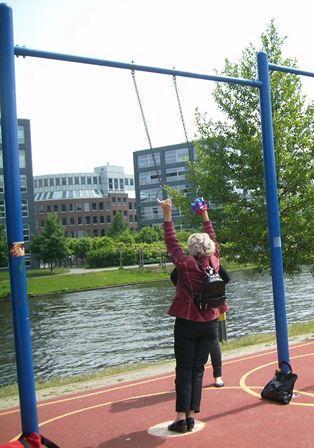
273, 211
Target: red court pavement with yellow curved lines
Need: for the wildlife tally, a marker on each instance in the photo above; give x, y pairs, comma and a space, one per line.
135, 413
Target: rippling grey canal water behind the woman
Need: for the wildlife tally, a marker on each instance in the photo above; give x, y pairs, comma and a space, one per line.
85, 332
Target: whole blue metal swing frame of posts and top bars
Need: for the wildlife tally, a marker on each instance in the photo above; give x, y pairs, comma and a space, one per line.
13, 197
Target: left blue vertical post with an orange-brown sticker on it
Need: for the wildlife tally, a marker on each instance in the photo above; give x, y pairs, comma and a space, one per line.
20, 310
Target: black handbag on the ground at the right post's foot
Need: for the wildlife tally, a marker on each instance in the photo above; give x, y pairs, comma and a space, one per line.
280, 388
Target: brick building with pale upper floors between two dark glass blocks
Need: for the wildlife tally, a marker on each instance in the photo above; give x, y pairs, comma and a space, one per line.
86, 203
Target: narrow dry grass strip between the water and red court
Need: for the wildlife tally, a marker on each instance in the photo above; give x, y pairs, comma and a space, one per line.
299, 329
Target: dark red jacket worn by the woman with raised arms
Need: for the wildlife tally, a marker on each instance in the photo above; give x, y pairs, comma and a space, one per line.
190, 277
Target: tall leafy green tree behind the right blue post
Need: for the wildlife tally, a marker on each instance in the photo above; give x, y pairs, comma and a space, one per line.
230, 166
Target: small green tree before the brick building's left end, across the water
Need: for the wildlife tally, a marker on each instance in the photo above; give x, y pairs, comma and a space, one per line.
51, 244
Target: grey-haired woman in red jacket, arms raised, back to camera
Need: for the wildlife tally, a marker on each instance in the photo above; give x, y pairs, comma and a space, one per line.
195, 330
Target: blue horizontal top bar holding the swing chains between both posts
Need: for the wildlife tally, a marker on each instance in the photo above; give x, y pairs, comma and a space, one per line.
22, 51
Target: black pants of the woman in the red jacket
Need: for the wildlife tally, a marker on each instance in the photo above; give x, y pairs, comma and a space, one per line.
193, 341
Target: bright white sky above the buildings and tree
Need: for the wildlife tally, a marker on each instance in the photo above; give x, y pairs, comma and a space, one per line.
85, 116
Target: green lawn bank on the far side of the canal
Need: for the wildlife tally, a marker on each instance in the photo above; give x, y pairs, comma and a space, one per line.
42, 282
